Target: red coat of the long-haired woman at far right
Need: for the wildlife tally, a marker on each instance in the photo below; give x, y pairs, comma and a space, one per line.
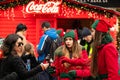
108, 61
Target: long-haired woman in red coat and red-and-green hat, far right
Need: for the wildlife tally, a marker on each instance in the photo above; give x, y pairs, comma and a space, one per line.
104, 64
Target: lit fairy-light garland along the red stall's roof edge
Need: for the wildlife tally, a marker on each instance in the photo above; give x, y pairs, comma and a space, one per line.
74, 4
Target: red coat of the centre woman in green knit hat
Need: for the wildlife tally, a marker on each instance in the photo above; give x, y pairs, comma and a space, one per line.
81, 70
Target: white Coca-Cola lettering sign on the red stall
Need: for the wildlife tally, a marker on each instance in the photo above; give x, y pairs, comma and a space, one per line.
49, 7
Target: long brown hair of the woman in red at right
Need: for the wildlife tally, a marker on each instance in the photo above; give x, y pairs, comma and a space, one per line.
97, 42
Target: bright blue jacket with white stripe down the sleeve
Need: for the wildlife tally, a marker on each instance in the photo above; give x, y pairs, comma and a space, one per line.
44, 43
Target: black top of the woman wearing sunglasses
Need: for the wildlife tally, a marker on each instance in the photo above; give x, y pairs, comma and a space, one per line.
15, 64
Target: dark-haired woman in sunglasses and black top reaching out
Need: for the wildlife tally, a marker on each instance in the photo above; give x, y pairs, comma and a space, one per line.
12, 61
